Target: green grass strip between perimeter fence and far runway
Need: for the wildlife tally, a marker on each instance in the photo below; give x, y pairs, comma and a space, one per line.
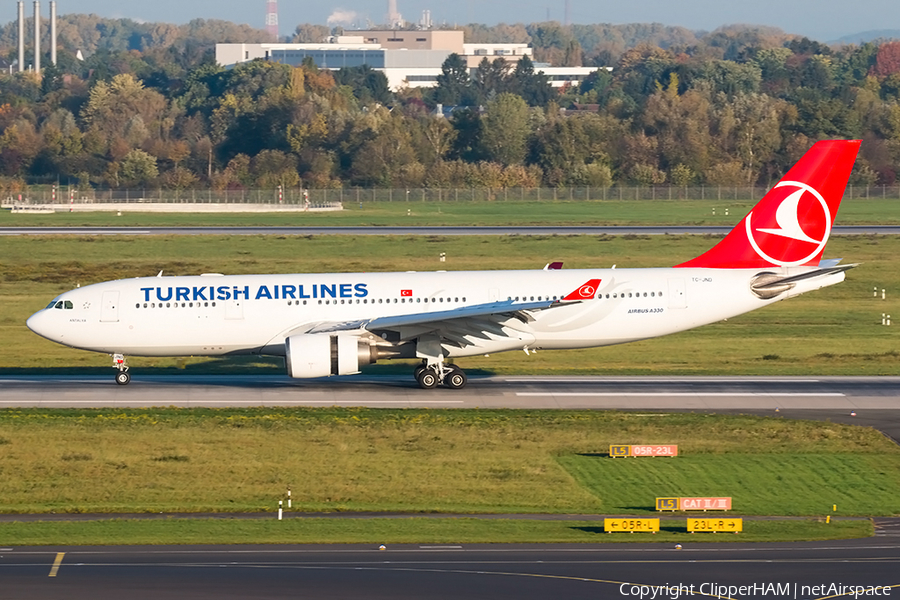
613, 212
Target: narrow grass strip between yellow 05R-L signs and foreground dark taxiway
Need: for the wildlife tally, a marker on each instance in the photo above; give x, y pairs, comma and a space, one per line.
396, 531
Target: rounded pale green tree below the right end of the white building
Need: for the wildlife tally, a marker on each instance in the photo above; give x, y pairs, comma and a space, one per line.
506, 129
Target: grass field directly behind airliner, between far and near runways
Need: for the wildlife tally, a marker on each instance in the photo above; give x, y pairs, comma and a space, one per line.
834, 331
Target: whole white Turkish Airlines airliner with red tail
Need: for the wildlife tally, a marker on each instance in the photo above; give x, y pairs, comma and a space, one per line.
326, 324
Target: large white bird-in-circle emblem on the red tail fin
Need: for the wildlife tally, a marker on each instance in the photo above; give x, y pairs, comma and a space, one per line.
787, 240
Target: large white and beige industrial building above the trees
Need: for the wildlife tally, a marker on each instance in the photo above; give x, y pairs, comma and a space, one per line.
408, 58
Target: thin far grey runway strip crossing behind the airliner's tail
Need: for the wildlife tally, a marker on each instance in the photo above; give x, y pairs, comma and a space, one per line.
447, 231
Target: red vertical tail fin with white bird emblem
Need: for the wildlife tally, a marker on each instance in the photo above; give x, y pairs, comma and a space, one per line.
791, 224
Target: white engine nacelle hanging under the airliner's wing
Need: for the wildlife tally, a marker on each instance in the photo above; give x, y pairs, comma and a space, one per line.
323, 355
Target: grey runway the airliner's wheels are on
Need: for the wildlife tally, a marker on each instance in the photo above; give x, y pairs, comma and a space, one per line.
871, 401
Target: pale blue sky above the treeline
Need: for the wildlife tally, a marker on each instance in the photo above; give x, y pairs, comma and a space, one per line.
822, 20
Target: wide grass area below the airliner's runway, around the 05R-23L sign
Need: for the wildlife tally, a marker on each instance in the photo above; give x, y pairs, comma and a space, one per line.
459, 461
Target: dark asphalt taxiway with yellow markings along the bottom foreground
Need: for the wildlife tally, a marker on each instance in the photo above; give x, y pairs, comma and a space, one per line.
424, 572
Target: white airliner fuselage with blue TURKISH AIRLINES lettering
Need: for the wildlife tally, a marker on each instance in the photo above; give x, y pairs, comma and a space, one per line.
214, 315
